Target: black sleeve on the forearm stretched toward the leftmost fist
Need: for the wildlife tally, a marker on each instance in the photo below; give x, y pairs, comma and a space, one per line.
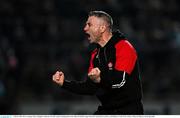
83, 87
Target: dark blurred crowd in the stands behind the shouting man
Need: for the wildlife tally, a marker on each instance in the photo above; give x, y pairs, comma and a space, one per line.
38, 37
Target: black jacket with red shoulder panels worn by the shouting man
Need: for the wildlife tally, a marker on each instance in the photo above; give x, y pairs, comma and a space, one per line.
120, 86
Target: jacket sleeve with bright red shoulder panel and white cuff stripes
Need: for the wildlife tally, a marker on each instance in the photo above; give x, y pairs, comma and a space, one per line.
125, 61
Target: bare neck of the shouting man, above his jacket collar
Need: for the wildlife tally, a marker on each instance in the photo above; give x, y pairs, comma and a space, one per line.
104, 39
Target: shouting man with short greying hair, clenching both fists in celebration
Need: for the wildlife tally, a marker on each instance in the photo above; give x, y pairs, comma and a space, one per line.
113, 71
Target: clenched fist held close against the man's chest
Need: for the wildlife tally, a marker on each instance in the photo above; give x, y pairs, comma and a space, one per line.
94, 75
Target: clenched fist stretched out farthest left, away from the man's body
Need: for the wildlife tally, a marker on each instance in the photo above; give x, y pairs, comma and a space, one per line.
58, 77
